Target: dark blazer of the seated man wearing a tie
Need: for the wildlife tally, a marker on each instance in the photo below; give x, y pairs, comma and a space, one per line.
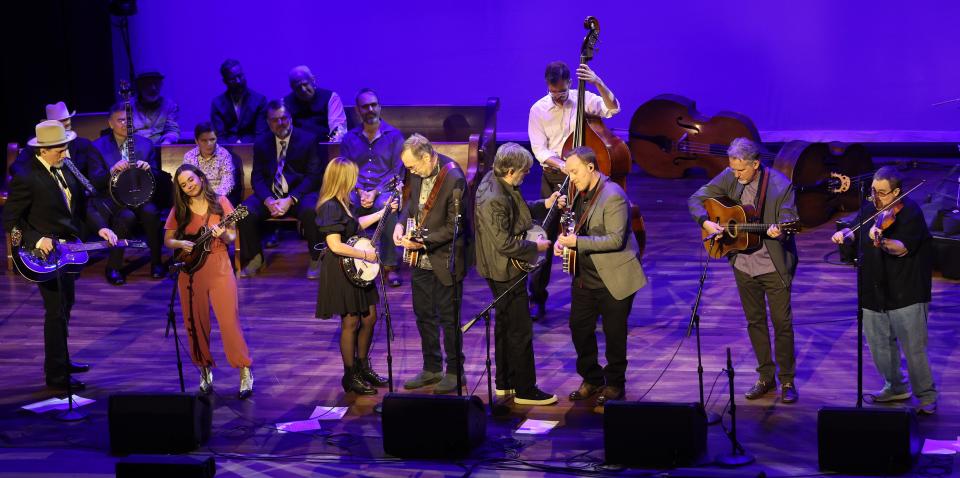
303, 169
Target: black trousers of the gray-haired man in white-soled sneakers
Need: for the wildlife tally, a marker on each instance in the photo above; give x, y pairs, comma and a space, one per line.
513, 339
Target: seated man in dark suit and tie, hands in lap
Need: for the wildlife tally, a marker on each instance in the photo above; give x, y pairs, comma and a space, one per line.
286, 178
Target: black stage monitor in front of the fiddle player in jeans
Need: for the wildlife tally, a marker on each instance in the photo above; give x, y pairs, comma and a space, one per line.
867, 440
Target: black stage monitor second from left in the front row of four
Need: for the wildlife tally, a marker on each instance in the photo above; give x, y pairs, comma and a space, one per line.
432, 426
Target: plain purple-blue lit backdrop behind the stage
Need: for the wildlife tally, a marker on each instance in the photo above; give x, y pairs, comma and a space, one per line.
861, 66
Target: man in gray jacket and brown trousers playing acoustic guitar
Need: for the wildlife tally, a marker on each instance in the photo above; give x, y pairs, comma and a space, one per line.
765, 274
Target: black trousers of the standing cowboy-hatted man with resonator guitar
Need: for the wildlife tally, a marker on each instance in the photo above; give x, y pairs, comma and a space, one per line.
54, 328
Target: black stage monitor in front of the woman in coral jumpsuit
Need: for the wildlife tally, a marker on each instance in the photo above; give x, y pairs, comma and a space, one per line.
158, 422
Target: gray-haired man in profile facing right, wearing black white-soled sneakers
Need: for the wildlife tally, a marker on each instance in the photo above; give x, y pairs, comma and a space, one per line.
502, 216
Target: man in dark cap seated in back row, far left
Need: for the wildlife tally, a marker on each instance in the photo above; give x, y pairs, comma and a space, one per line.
154, 116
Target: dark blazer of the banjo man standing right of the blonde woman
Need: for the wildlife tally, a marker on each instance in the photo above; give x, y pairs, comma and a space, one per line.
439, 221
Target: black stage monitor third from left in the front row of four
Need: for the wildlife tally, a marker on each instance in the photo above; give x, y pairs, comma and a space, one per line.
654, 435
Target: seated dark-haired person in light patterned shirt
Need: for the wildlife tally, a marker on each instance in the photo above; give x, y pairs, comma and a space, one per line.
215, 162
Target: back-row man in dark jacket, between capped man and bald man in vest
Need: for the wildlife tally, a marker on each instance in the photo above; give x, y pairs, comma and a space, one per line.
239, 114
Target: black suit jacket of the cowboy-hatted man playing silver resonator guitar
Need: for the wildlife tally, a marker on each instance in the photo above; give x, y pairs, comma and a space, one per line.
37, 206
